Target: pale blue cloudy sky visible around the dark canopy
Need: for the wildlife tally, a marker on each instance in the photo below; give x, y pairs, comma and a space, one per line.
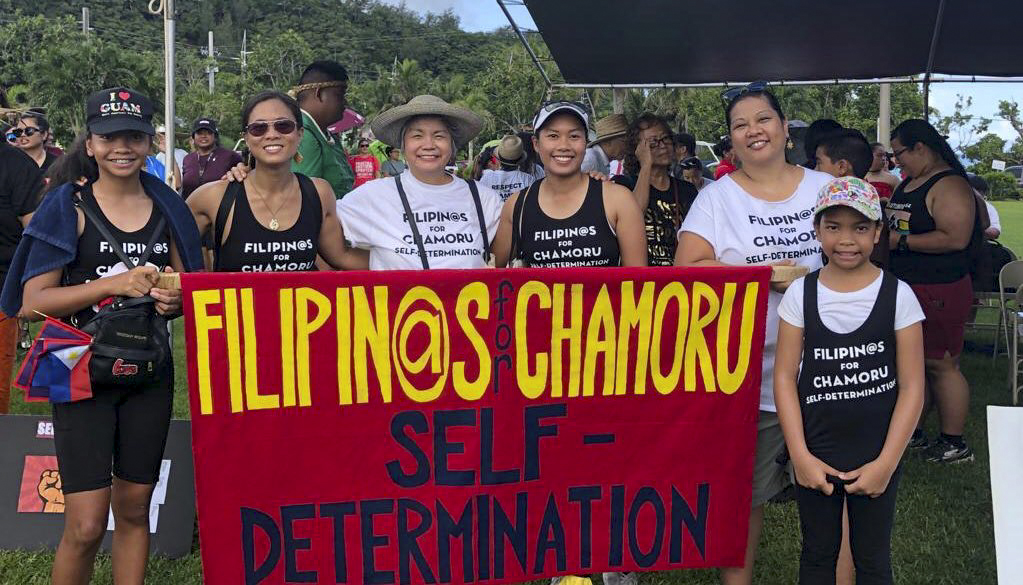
487, 16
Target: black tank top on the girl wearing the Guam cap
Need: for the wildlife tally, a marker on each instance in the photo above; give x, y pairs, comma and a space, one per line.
97, 258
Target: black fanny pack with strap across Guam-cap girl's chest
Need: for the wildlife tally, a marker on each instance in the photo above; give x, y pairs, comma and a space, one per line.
130, 341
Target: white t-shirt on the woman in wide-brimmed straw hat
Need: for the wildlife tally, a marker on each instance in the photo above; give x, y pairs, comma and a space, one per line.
374, 219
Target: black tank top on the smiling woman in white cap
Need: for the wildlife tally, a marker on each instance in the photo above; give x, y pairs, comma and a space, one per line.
586, 239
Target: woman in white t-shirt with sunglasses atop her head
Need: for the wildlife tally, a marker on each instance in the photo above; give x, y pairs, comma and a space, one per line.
760, 214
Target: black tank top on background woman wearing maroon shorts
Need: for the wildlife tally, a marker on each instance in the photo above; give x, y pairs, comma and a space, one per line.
908, 214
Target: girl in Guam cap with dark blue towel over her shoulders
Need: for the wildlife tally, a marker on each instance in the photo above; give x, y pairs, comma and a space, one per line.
120, 429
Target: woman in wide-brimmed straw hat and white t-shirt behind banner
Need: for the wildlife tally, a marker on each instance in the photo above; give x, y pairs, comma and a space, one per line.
424, 218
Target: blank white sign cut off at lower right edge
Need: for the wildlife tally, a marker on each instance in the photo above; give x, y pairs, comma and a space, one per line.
1005, 440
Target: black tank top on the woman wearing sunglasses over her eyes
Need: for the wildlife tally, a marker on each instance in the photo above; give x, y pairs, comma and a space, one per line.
253, 248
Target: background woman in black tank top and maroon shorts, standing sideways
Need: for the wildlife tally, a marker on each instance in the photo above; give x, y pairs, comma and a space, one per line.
935, 227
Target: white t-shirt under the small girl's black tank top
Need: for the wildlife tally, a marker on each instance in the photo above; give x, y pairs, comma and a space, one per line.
846, 312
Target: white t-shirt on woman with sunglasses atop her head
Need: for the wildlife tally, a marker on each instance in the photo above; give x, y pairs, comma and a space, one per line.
743, 230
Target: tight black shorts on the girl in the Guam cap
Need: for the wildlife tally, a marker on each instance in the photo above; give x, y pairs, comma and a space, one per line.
126, 428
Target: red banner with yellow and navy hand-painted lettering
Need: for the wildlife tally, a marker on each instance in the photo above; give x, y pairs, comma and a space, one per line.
465, 427
